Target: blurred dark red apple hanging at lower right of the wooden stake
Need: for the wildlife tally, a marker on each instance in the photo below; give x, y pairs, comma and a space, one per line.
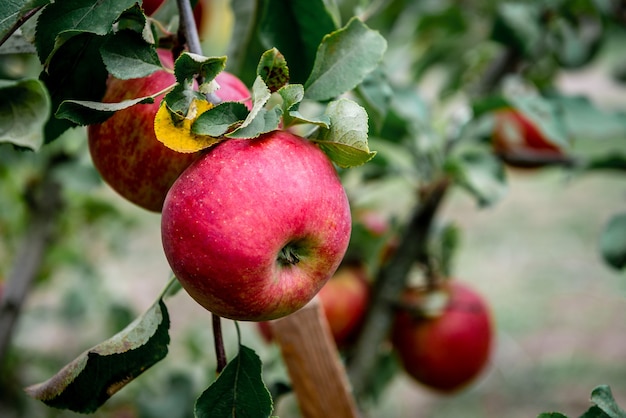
448, 351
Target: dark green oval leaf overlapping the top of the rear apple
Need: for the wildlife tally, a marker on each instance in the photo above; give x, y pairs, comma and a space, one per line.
126, 55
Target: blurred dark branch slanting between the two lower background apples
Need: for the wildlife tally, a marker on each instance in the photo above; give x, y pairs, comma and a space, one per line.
390, 282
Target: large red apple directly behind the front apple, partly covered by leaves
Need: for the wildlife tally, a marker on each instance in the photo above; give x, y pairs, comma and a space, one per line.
124, 148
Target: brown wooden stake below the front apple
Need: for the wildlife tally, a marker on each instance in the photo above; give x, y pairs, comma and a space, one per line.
317, 374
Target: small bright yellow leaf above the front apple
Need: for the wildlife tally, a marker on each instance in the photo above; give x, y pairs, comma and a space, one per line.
179, 136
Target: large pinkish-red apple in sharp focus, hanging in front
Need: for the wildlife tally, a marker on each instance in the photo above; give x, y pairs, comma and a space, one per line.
229, 217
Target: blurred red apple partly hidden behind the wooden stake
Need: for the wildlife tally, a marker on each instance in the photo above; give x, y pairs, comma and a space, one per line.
344, 299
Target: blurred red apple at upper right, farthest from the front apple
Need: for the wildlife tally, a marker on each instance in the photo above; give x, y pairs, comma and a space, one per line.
520, 142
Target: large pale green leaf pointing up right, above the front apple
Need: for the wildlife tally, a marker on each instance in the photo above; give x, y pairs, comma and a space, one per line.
343, 60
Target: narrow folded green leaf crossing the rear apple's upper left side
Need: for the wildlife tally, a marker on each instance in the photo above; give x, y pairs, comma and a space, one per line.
87, 113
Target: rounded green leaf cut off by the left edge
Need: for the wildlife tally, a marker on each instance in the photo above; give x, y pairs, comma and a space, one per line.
24, 110
